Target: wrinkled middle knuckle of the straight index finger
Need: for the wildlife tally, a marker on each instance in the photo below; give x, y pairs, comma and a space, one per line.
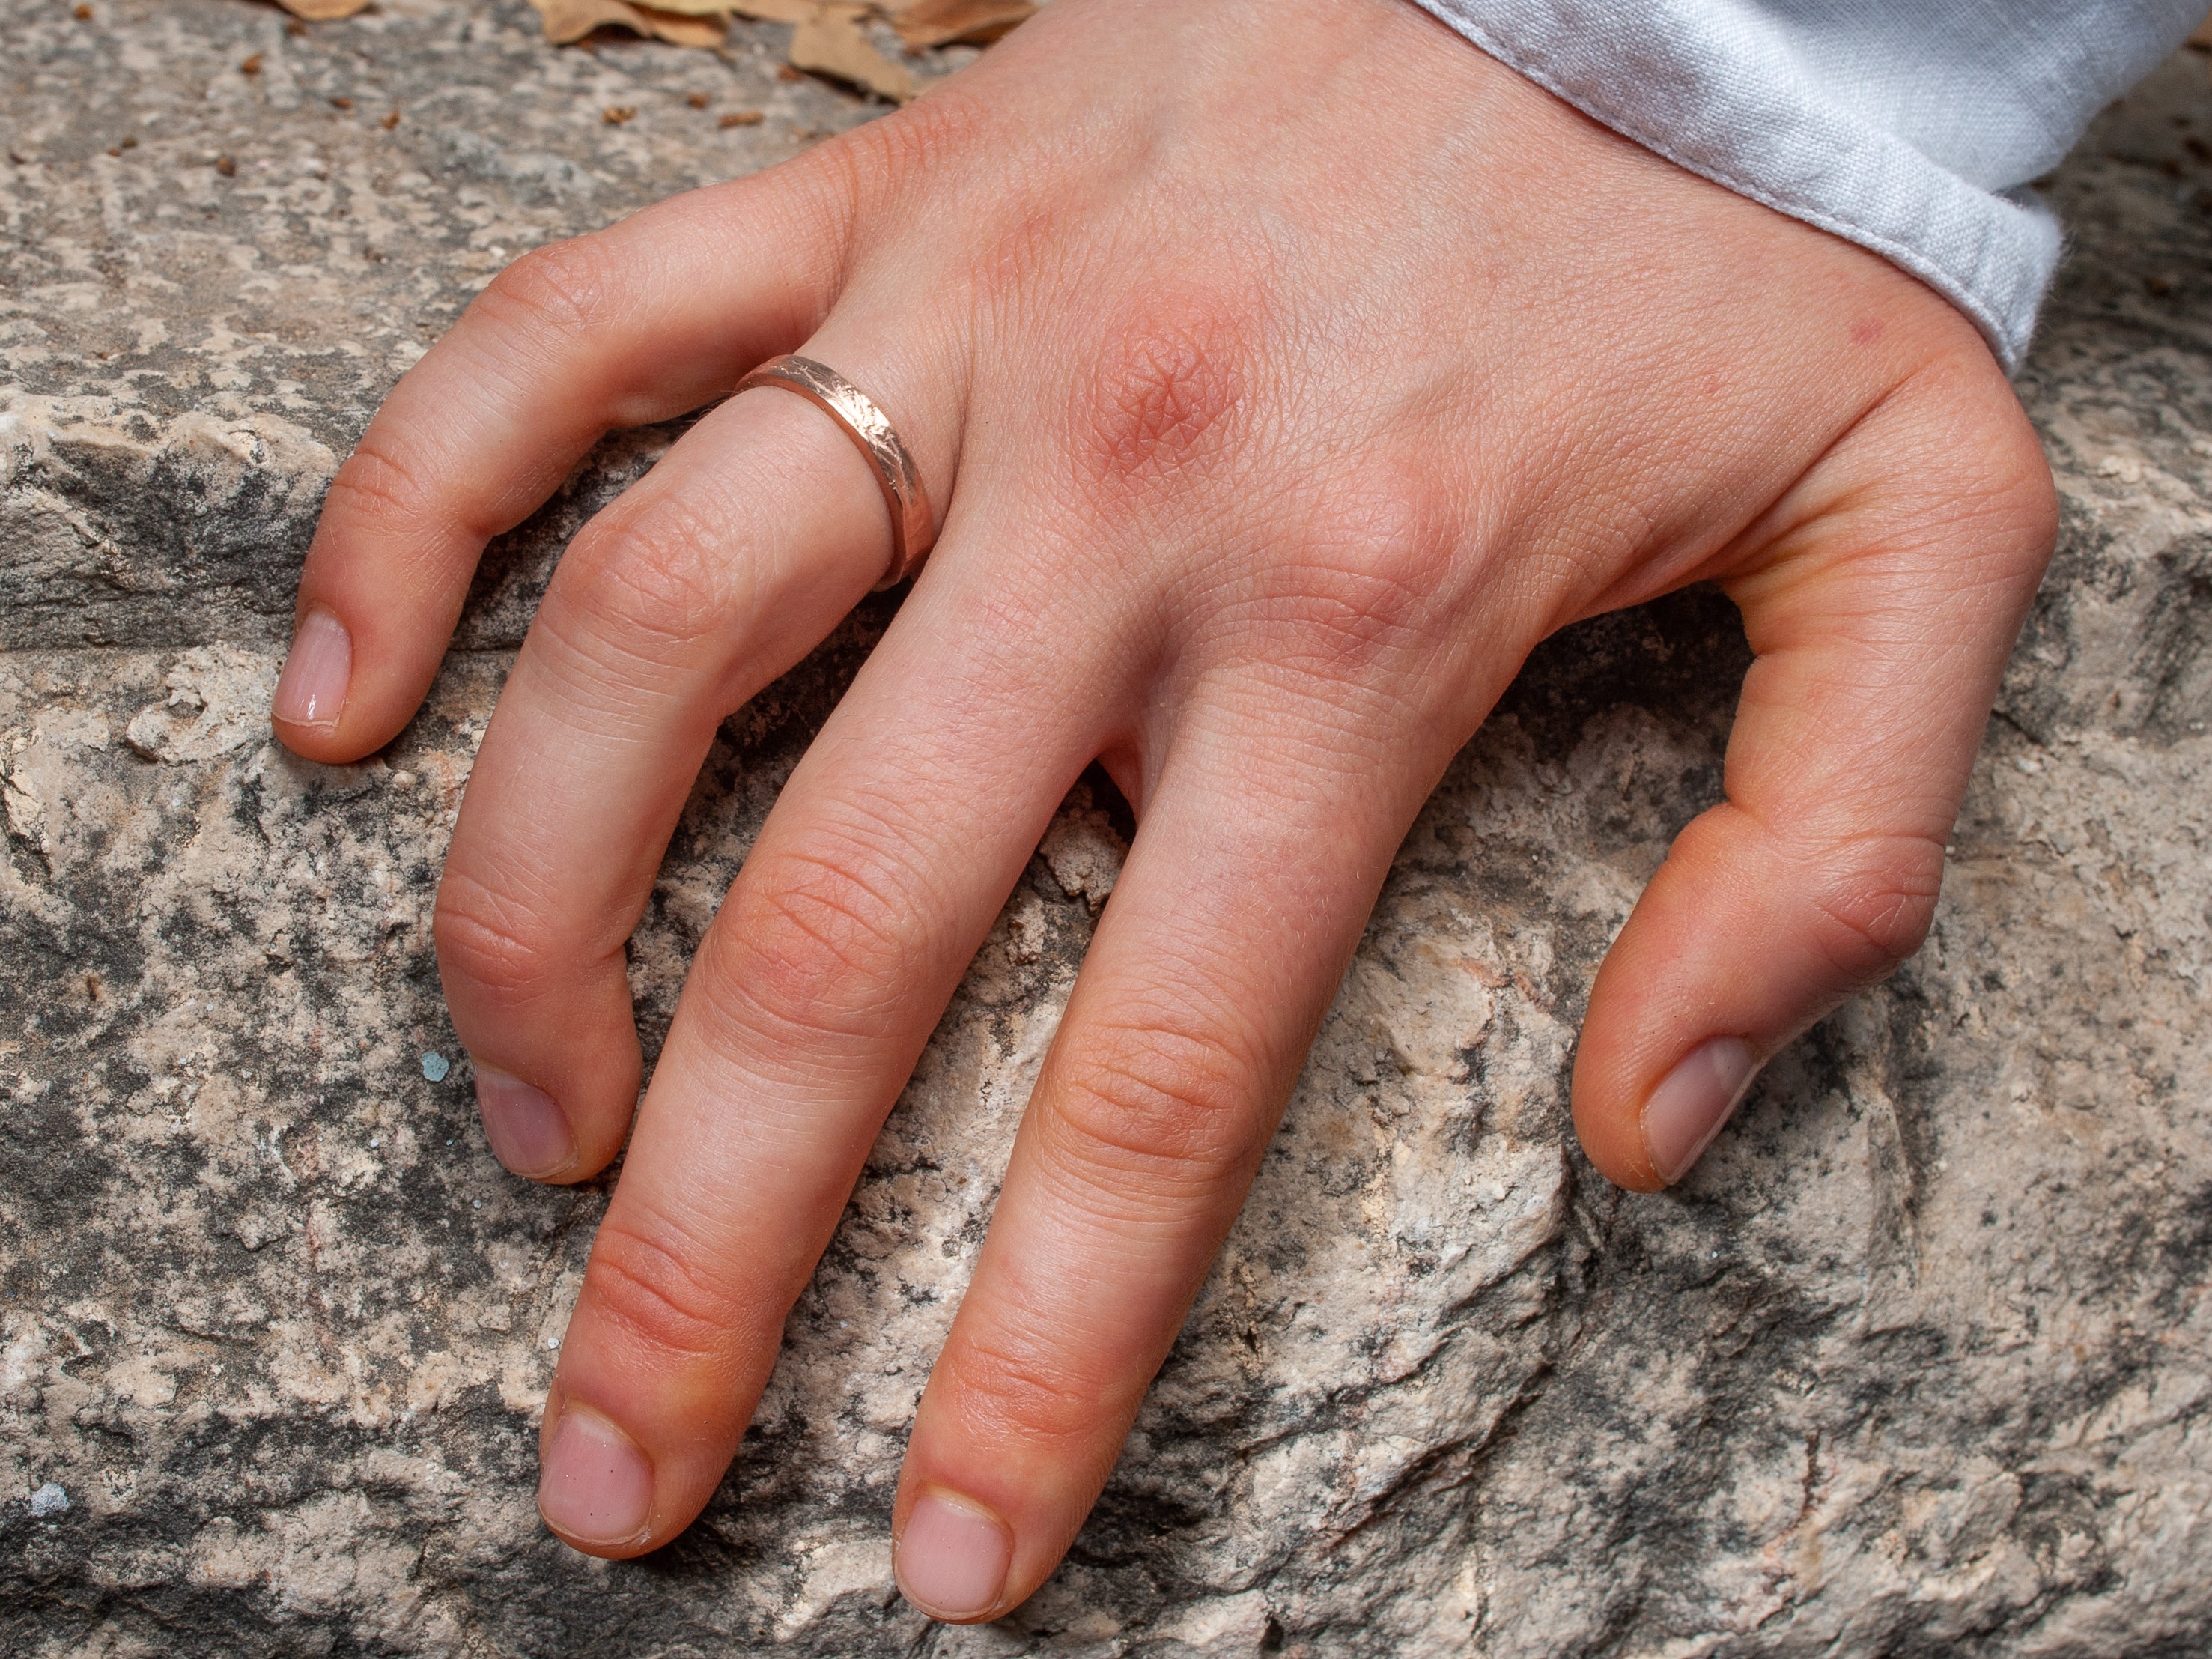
1151, 1105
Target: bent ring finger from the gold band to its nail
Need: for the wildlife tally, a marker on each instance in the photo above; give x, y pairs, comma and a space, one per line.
682, 601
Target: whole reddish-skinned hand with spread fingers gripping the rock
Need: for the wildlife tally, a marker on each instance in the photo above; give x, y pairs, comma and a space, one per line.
1284, 371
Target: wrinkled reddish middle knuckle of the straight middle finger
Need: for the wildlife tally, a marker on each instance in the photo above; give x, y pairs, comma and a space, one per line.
817, 946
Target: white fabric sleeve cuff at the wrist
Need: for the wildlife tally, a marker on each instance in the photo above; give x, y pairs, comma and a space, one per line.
1910, 127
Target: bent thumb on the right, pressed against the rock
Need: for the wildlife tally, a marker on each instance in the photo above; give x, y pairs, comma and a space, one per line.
1881, 616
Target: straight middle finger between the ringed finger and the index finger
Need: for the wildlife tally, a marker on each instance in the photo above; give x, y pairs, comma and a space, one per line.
837, 950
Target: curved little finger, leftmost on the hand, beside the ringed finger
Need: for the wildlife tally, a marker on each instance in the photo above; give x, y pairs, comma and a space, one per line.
636, 324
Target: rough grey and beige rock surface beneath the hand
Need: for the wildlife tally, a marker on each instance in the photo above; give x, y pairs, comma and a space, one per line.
1919, 1361
